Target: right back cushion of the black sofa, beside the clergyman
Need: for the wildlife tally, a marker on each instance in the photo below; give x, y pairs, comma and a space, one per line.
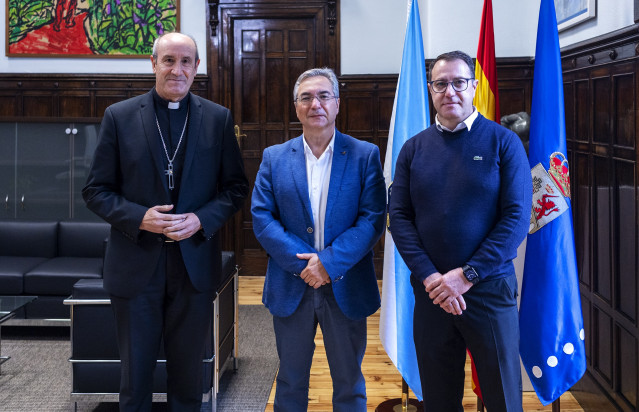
82, 239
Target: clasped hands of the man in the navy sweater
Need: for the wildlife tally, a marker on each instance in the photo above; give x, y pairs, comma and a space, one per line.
446, 290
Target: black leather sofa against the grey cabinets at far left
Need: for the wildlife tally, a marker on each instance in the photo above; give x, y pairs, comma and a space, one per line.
45, 259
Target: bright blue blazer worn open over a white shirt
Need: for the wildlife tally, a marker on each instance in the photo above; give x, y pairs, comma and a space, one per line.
283, 222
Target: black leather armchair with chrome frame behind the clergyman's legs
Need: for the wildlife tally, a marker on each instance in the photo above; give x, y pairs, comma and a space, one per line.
94, 353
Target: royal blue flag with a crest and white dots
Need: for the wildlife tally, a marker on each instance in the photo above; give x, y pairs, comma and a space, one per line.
551, 323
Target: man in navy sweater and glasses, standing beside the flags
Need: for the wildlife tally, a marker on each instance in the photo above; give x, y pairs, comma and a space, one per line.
460, 207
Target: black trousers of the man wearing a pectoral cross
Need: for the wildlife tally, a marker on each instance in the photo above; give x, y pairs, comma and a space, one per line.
169, 307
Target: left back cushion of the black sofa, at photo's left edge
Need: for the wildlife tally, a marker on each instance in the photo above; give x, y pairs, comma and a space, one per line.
21, 238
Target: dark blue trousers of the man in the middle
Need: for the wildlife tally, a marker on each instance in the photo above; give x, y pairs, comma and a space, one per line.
345, 342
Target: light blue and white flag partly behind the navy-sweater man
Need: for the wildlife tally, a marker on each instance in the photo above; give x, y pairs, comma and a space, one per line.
410, 116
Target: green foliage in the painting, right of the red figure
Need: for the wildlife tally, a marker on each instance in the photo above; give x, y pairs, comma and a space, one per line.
128, 26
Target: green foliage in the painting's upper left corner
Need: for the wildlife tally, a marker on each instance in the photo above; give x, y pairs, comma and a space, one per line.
28, 15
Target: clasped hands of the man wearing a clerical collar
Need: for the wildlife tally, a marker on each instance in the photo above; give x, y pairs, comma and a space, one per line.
173, 226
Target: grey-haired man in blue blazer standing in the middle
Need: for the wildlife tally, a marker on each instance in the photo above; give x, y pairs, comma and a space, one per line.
318, 210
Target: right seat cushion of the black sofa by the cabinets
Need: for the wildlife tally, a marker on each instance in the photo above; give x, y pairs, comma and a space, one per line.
56, 276
